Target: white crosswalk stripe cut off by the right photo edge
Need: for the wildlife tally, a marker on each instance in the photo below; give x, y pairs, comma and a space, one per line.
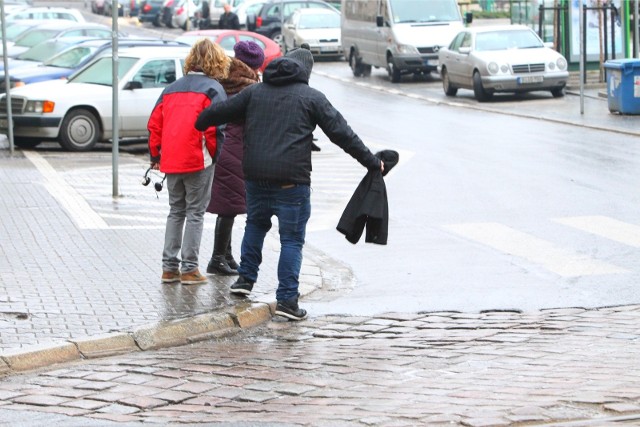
603, 226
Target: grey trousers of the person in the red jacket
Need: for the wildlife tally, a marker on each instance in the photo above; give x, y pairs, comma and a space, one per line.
189, 195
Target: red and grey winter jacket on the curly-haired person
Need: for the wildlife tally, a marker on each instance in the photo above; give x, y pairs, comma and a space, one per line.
174, 142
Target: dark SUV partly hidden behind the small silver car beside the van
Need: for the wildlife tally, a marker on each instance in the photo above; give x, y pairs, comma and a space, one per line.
270, 18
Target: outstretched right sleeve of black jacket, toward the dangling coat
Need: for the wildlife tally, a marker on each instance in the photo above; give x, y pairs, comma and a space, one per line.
340, 133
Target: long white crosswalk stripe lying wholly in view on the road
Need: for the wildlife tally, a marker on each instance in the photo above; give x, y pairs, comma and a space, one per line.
513, 242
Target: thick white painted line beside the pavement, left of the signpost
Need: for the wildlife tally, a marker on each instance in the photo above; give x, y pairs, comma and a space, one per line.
75, 205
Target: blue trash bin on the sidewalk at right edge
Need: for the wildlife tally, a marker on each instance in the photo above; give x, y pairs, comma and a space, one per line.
623, 85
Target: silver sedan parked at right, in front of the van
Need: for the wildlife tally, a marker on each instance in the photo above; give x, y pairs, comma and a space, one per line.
501, 59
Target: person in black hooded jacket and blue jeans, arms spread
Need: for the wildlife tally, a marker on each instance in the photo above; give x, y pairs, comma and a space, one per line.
280, 115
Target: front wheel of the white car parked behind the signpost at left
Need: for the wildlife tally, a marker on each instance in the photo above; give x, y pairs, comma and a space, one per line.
79, 130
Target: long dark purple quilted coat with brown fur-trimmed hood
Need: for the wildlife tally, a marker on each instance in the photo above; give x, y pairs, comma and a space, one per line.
227, 191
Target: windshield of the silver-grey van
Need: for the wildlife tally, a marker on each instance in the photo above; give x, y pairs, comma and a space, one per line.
407, 11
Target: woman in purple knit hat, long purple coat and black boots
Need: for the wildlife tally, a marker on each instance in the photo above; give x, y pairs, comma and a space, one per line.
227, 192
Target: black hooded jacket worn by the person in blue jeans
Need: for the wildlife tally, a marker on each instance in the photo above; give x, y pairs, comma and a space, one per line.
280, 115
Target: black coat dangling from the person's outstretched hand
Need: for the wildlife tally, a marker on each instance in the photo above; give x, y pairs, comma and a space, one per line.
369, 205
